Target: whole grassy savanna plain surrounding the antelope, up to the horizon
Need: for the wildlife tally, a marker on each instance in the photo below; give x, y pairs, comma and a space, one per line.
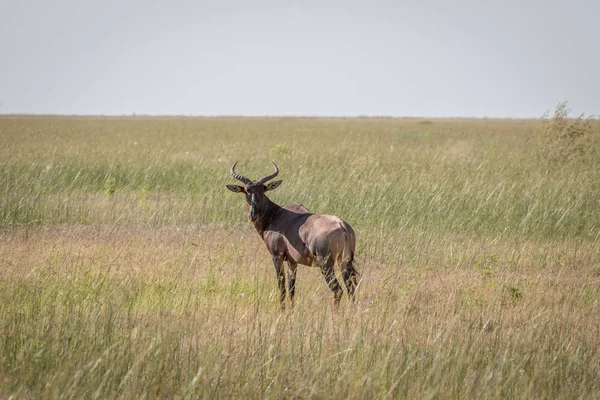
128, 270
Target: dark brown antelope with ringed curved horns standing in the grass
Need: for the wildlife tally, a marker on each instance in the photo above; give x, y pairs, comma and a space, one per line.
297, 236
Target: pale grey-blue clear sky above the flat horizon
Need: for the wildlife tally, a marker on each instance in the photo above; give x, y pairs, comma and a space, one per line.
429, 58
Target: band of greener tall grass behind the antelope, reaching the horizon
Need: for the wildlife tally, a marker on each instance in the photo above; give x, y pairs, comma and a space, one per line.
477, 177
